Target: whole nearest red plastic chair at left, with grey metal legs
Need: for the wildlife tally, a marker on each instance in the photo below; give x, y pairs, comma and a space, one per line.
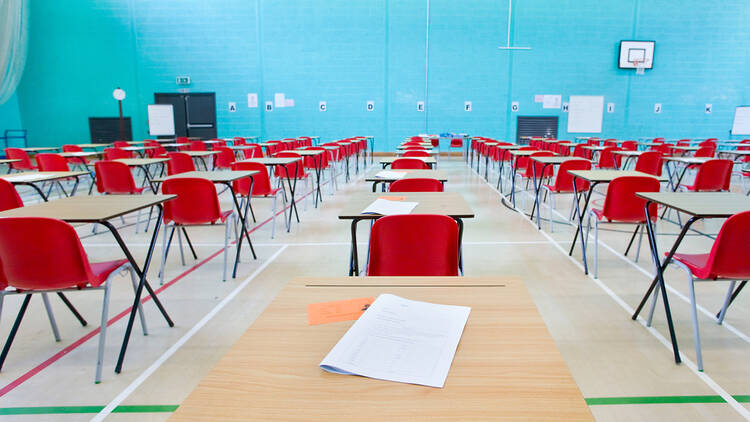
59, 263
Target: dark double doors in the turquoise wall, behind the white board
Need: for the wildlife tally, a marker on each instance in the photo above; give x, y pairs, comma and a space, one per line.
194, 113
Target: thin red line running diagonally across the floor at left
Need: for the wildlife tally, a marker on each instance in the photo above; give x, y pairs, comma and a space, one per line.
59, 355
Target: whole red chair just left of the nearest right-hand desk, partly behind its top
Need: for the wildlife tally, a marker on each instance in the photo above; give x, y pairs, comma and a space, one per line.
621, 205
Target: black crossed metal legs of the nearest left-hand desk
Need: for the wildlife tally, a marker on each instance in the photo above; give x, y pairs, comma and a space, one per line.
141, 284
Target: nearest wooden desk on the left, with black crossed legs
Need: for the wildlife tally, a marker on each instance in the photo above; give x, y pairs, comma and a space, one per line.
100, 210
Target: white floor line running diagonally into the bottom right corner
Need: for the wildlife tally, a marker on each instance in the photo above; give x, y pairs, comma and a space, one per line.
745, 413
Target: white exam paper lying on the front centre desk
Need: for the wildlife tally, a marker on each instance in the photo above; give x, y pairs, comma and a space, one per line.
400, 340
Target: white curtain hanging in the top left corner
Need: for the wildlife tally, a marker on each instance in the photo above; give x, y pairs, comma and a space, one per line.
13, 38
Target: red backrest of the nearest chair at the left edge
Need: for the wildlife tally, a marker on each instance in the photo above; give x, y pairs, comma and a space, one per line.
30, 264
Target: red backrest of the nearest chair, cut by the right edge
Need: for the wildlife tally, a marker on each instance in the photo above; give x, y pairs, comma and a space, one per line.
728, 256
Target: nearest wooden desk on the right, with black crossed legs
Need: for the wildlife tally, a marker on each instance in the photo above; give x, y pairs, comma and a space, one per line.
698, 205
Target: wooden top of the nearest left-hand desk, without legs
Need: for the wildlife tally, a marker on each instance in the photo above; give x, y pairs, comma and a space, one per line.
85, 209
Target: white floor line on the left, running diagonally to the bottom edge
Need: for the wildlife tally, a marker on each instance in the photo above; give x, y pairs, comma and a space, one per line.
187, 336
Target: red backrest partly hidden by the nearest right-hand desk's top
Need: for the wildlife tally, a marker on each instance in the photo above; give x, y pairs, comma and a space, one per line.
621, 203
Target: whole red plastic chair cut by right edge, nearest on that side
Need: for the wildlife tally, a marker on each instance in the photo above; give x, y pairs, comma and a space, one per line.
727, 260
